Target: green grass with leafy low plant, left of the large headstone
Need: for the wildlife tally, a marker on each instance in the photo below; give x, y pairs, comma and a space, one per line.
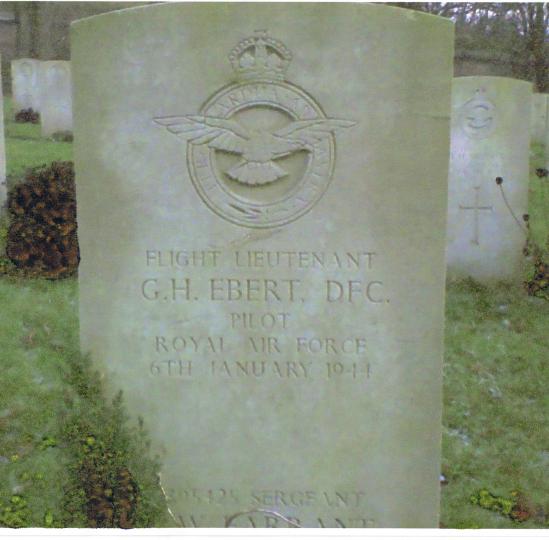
62, 446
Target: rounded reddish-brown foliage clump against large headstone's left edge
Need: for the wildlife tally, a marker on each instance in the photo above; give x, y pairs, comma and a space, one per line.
42, 237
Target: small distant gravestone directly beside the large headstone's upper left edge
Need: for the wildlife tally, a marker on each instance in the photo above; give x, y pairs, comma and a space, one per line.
55, 97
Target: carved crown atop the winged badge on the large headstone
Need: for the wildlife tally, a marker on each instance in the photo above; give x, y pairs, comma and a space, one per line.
260, 57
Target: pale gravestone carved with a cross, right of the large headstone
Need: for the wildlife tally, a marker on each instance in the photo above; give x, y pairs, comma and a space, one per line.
490, 139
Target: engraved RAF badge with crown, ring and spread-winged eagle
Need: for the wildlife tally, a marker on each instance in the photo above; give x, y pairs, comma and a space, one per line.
261, 152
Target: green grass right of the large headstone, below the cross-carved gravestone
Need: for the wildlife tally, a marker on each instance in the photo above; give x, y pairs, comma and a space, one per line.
496, 429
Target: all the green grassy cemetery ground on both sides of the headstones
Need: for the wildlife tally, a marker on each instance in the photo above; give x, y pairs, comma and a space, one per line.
68, 458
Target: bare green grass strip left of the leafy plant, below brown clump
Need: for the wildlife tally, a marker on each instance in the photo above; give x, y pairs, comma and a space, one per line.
37, 340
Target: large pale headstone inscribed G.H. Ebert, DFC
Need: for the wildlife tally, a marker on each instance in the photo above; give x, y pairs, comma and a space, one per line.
272, 308
